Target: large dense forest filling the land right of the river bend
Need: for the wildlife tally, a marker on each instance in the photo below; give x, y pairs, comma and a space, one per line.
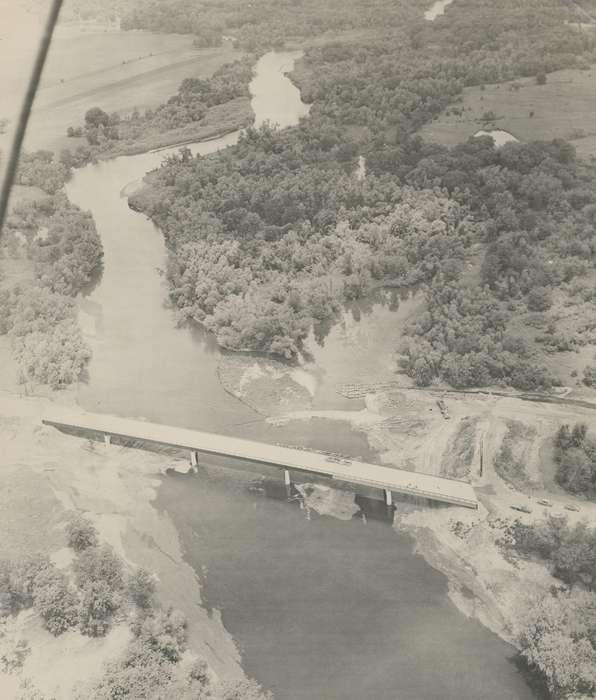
276, 233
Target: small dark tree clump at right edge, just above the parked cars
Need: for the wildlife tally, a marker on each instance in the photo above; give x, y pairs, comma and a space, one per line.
575, 454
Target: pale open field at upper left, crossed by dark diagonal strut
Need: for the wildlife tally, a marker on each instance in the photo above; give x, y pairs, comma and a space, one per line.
118, 71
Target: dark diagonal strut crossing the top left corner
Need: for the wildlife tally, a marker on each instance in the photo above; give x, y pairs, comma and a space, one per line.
17, 143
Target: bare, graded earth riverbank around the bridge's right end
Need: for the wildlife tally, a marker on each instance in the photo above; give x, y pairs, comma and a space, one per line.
486, 581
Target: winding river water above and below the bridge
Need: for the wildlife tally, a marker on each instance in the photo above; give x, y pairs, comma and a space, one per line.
320, 607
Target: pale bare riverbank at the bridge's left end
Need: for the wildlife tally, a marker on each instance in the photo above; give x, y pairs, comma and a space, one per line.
44, 475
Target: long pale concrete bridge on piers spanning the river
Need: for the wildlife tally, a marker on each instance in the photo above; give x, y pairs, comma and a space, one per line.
388, 479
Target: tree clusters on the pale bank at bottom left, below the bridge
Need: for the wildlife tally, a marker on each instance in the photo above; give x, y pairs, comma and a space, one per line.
157, 663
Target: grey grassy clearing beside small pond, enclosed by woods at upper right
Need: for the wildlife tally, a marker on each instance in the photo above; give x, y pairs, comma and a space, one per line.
563, 108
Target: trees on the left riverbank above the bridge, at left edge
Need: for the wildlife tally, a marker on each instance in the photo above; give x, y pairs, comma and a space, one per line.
41, 319
